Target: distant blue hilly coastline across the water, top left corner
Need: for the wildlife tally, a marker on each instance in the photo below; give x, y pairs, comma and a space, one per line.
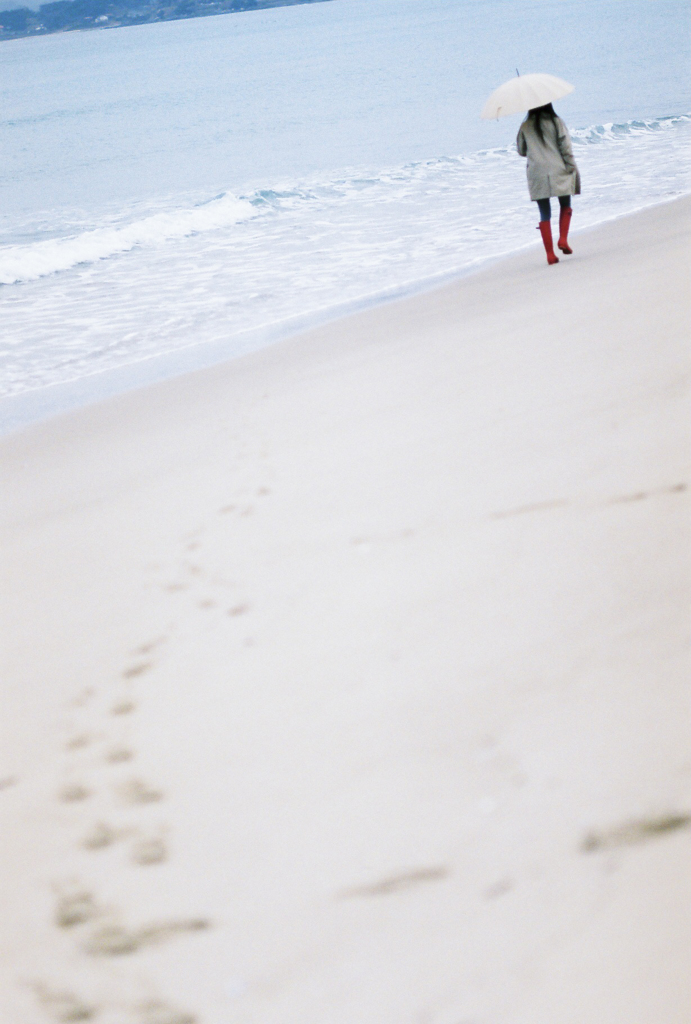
73, 16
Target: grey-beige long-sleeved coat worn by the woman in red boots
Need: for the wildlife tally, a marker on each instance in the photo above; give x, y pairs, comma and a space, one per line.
552, 169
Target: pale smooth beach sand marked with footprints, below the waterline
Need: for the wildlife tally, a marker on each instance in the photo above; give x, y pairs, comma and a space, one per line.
345, 684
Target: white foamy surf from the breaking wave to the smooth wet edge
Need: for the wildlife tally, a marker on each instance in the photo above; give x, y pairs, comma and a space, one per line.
215, 273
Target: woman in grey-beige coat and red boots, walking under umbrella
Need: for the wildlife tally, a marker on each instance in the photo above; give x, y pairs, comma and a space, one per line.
552, 170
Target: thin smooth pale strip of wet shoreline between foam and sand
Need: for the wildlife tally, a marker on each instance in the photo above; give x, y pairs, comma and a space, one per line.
39, 405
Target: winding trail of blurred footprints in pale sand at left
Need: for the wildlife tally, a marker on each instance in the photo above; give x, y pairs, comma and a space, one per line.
101, 770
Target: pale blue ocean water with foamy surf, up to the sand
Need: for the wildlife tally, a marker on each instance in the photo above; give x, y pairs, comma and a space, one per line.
182, 193
